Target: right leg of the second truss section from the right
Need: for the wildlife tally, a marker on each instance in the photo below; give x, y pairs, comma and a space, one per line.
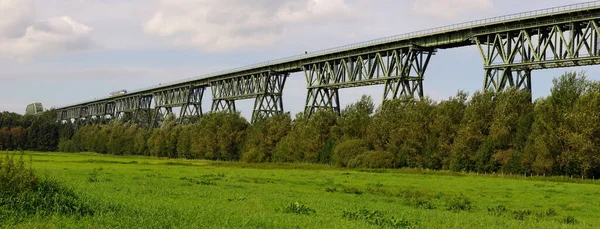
411, 65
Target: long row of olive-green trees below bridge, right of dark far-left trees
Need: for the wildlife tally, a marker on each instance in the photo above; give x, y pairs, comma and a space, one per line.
485, 132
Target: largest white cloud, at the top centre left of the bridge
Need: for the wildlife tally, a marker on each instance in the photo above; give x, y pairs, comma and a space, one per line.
229, 24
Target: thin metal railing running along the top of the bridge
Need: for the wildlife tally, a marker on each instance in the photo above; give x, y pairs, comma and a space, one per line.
442, 29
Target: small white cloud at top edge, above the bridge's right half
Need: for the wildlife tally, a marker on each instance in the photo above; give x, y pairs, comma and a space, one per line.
449, 9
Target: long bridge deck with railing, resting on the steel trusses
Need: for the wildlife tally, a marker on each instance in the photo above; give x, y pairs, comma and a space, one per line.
451, 36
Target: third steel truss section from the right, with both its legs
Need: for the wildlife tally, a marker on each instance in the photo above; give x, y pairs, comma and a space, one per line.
265, 87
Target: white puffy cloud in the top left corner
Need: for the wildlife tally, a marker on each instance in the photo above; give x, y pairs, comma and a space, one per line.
21, 37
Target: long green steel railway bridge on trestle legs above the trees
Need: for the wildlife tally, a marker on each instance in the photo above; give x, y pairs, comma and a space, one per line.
511, 47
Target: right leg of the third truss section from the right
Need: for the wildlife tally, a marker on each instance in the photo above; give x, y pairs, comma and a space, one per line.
269, 100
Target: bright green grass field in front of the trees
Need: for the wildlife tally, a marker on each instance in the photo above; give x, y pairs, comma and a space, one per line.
136, 192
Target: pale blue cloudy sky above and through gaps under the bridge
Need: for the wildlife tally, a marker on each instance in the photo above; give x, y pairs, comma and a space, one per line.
60, 52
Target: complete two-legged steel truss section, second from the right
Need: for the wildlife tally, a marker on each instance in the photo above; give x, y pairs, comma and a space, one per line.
401, 70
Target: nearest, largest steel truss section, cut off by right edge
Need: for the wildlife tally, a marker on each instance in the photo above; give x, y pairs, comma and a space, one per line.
509, 57
